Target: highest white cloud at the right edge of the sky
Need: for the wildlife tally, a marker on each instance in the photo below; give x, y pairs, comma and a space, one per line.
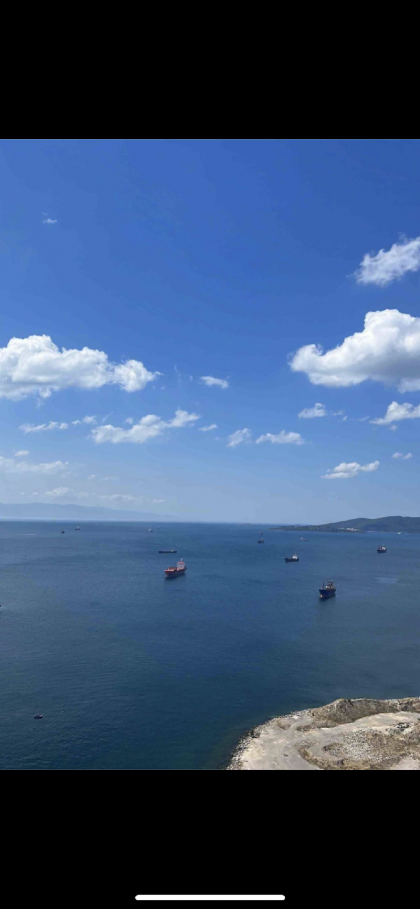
386, 266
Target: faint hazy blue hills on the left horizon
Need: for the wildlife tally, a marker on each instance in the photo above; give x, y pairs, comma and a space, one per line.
36, 511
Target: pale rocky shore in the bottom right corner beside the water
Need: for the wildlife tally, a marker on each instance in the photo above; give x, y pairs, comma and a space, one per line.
362, 734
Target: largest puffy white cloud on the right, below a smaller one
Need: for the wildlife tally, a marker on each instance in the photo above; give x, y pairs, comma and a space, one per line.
388, 351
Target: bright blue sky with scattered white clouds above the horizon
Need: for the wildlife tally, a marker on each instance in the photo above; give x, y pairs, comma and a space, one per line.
131, 269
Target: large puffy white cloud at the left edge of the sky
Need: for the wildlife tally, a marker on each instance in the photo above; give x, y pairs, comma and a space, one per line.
36, 366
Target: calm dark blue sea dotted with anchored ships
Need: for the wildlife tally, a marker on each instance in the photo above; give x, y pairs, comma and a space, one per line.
134, 672
